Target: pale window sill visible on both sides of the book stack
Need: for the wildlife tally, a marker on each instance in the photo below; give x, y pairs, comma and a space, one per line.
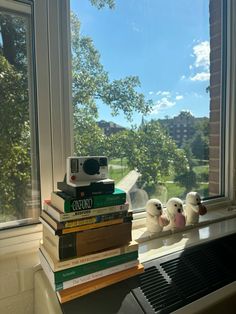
28, 237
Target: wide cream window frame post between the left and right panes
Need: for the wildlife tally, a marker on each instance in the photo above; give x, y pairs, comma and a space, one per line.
52, 85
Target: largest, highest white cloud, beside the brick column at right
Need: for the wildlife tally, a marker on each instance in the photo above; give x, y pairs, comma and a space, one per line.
201, 53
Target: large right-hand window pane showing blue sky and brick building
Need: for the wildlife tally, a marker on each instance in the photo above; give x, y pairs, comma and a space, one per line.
147, 93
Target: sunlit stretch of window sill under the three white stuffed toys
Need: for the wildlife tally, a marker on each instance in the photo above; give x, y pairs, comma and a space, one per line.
213, 225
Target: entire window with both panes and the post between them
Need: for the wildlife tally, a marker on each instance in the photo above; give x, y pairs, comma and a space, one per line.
123, 106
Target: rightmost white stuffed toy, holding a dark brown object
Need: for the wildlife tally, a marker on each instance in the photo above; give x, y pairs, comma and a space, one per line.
193, 208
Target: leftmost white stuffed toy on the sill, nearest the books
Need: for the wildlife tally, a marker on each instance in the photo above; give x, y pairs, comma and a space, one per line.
155, 220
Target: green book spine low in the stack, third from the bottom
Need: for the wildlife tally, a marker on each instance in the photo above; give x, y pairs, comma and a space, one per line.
85, 269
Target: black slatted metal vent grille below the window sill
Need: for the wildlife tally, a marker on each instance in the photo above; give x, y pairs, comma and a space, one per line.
173, 281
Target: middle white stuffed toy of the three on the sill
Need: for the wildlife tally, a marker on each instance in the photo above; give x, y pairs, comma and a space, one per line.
174, 208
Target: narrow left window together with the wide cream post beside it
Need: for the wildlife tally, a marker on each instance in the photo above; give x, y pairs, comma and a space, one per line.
34, 88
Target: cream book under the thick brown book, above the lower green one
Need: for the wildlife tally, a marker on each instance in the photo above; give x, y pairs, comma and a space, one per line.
60, 265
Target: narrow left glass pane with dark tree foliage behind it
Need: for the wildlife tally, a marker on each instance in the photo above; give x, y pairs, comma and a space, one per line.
19, 174
